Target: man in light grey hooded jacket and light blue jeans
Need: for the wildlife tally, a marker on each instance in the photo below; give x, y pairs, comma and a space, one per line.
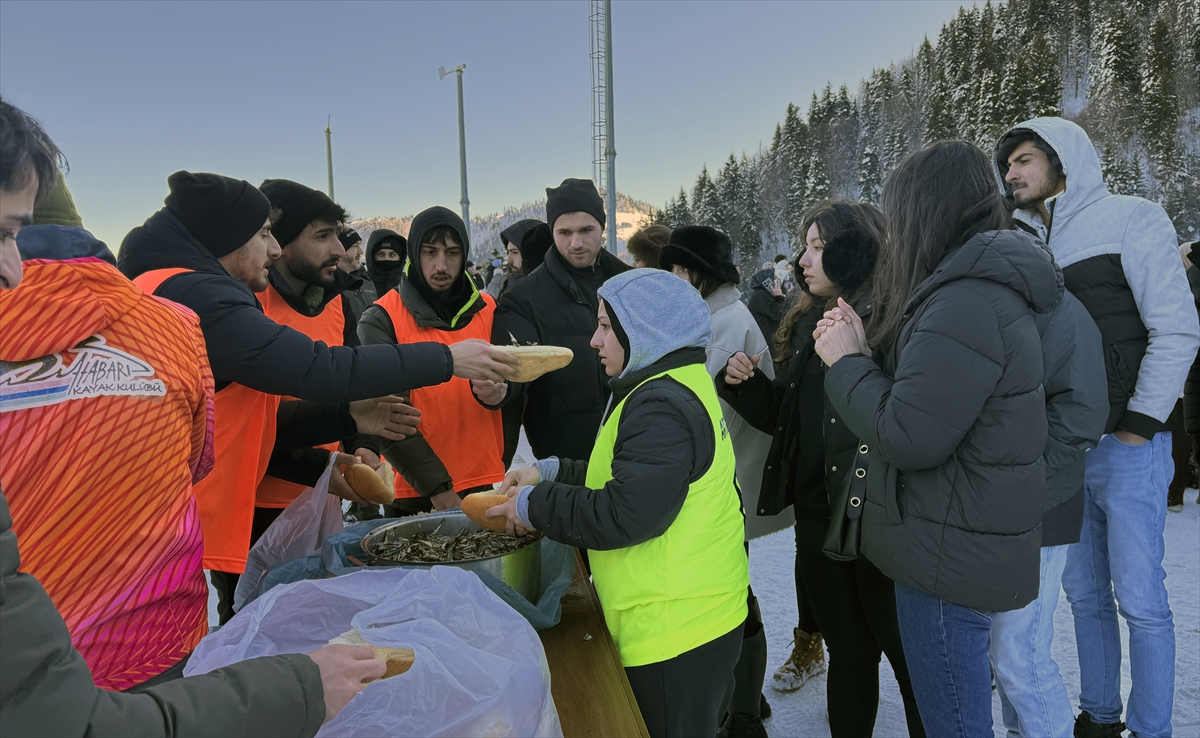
1119, 256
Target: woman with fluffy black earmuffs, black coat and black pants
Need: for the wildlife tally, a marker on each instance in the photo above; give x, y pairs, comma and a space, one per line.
811, 457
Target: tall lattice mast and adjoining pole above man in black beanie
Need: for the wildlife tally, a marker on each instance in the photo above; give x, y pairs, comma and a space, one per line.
604, 149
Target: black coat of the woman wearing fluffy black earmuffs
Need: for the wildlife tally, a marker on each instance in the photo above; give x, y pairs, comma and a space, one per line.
812, 449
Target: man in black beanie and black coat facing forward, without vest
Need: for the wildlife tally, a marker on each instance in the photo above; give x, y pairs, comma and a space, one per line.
556, 305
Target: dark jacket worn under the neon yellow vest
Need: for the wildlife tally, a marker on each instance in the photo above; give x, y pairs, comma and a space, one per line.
664, 445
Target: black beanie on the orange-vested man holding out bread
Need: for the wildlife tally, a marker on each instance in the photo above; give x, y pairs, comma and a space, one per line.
220, 213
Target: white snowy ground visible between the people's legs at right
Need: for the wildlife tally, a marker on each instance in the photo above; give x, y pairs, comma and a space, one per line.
803, 713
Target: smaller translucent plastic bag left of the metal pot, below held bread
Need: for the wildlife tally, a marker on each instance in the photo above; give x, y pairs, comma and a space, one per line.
298, 532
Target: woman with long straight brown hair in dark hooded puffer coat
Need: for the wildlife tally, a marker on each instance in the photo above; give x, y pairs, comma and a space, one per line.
953, 421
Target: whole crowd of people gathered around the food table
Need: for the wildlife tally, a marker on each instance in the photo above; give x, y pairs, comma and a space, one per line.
963, 403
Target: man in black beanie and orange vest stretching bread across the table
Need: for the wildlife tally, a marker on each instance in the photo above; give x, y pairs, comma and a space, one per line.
211, 249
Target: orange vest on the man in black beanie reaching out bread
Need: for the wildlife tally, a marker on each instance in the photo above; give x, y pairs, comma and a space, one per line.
244, 439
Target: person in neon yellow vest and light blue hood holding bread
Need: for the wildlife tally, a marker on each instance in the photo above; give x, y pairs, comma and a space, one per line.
657, 506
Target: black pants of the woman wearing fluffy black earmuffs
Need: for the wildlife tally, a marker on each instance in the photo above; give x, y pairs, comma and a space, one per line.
856, 609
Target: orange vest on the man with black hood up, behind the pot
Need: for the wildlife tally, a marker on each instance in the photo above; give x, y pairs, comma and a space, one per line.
466, 436
